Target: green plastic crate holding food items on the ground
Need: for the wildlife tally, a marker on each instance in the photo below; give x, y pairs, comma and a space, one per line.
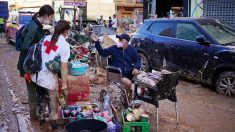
126, 126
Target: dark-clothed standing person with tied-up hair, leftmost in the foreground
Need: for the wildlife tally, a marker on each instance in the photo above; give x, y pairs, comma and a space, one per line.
33, 33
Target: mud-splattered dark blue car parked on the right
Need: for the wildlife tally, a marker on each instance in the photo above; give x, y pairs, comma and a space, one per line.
203, 49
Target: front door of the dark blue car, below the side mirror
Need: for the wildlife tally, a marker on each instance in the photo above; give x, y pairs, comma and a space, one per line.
187, 54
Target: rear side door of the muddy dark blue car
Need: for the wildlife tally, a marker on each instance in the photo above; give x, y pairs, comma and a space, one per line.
161, 33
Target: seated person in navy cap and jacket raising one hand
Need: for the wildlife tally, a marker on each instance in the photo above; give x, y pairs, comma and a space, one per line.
123, 56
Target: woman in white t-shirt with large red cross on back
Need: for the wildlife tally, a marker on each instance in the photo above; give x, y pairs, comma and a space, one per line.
47, 82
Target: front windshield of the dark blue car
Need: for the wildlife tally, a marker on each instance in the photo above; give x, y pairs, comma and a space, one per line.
220, 32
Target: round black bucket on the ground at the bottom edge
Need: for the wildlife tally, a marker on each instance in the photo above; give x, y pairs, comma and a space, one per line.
88, 125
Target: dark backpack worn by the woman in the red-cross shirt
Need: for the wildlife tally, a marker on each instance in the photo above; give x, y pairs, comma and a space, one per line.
33, 62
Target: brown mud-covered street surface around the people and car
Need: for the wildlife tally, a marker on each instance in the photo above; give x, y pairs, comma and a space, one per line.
200, 108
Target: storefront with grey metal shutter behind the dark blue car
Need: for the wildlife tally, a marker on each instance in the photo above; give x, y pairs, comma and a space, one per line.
216, 9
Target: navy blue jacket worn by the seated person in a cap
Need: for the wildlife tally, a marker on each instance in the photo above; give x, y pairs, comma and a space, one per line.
126, 59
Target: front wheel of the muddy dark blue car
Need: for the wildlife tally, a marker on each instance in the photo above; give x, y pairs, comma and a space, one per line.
225, 83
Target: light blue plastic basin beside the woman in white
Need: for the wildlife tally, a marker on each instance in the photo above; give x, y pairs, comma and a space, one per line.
77, 68
